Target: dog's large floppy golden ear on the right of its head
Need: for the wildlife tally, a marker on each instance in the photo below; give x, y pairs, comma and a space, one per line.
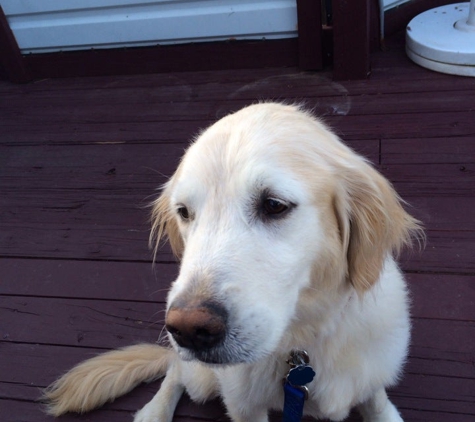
372, 223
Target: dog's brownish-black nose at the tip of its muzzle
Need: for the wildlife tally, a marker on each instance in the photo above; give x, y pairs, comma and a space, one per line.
197, 327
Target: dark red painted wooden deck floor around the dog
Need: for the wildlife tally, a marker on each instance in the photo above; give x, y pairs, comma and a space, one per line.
80, 159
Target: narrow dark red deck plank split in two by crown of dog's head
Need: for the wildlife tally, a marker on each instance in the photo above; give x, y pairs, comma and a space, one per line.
351, 127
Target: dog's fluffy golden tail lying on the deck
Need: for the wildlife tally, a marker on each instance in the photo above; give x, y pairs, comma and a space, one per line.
106, 377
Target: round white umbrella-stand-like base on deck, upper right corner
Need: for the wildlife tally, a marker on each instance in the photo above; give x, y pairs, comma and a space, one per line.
443, 39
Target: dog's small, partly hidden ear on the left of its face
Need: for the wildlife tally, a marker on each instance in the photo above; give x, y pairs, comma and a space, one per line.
164, 224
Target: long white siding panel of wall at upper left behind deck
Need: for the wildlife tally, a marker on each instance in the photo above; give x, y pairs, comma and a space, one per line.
54, 25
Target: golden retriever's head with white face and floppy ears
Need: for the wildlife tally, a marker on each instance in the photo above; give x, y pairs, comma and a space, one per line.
267, 210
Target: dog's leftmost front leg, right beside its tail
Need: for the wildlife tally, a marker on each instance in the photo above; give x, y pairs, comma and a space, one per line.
162, 407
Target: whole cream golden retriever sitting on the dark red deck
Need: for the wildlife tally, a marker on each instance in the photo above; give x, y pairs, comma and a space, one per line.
286, 240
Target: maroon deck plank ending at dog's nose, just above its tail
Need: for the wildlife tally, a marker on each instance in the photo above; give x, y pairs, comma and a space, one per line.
80, 322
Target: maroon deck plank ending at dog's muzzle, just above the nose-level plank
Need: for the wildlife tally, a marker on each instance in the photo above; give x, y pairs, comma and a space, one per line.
124, 281
